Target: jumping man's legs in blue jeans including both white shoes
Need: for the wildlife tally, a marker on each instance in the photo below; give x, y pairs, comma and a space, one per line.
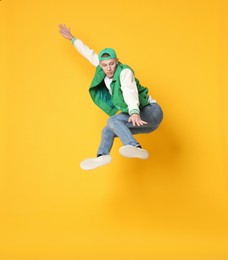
118, 125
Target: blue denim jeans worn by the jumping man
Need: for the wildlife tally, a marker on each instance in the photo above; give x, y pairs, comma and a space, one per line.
118, 126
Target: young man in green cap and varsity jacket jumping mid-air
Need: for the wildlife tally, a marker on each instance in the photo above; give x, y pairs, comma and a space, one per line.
114, 88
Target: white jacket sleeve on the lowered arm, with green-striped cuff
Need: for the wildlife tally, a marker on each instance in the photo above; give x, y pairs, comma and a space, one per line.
130, 91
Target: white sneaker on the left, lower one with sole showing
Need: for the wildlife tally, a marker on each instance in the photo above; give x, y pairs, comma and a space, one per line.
92, 163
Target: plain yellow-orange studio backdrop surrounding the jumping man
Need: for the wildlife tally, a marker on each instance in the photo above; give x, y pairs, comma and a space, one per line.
172, 205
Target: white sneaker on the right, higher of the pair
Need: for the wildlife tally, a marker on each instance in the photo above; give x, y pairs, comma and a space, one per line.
130, 151
